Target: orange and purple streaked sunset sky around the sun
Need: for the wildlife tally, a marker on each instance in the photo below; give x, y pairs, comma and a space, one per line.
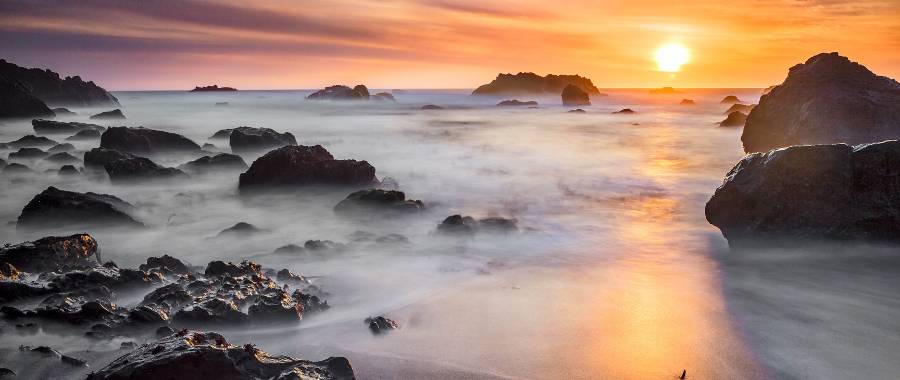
159, 45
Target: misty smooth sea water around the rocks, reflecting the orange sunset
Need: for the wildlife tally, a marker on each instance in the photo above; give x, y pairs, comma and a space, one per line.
615, 273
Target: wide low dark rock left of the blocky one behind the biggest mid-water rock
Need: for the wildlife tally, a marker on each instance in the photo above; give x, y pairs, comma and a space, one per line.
145, 140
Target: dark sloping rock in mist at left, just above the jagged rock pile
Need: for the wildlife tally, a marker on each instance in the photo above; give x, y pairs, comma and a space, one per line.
54, 208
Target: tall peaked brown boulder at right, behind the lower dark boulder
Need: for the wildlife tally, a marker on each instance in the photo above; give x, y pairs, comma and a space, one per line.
829, 99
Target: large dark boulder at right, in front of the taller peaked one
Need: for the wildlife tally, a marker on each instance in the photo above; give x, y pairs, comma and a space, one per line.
811, 192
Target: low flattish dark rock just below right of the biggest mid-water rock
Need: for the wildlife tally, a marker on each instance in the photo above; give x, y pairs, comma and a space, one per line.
377, 201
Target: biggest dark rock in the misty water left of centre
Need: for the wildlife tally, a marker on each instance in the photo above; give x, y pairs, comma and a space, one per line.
300, 165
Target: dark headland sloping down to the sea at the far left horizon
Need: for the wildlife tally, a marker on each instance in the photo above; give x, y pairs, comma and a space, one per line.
47, 86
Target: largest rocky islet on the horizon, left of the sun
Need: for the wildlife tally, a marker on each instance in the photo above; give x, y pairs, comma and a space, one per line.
533, 84
